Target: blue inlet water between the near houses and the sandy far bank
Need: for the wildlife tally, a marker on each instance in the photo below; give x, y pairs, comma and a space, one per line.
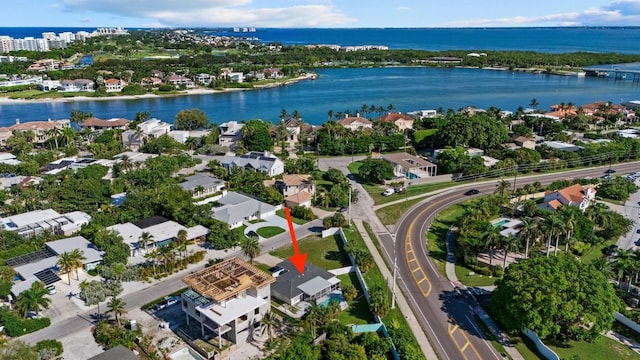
407, 89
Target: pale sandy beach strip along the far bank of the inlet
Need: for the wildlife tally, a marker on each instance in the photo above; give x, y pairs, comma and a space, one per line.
198, 91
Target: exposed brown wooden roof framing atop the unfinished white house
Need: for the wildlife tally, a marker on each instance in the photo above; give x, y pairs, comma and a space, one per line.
227, 279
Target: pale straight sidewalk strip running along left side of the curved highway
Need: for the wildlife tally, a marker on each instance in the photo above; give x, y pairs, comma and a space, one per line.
424, 343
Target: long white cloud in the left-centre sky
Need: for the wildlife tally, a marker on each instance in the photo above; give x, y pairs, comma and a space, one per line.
216, 12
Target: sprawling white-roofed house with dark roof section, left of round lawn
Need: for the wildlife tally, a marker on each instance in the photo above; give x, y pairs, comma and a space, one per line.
162, 231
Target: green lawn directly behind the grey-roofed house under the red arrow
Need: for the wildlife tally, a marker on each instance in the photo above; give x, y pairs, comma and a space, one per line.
325, 253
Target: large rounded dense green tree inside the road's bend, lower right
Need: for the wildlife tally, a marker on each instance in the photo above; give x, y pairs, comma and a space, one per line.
558, 297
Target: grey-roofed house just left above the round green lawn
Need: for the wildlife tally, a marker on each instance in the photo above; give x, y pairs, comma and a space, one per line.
235, 208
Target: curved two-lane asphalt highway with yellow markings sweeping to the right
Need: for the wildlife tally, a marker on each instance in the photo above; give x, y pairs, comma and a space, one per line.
447, 317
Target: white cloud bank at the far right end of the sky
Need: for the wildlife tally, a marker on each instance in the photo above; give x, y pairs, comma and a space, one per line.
617, 13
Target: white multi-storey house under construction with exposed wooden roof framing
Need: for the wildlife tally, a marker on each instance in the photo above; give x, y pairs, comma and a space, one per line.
227, 300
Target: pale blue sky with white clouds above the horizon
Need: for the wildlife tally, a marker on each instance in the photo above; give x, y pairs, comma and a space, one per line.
319, 13
